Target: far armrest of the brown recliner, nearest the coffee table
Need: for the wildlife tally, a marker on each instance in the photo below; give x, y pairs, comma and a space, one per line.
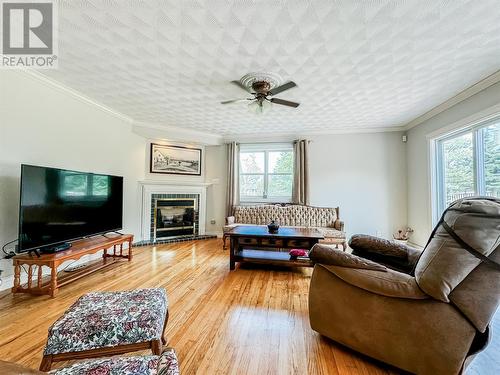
390, 253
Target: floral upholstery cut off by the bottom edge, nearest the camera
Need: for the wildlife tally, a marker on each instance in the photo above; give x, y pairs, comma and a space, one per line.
166, 364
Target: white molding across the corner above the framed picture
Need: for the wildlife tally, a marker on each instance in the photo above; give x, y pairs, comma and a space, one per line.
176, 134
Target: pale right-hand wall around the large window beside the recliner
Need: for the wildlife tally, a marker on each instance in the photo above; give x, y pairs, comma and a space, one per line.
418, 163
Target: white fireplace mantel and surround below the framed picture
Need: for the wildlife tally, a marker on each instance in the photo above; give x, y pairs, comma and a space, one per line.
148, 188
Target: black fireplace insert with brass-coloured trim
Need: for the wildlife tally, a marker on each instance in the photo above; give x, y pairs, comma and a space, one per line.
175, 217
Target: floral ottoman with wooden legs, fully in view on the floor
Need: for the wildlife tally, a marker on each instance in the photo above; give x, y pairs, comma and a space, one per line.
108, 323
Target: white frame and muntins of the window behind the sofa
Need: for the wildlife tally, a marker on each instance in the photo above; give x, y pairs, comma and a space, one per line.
266, 148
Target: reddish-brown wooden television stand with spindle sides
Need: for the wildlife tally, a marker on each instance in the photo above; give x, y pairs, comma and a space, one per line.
91, 245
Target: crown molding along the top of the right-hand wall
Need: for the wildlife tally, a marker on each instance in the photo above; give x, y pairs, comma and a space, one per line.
460, 97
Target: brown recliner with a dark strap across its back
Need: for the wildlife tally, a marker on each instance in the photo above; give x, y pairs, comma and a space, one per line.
425, 312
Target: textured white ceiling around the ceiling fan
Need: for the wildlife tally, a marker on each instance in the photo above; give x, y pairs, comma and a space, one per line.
358, 64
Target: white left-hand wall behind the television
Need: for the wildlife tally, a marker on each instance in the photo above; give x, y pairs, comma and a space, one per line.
43, 125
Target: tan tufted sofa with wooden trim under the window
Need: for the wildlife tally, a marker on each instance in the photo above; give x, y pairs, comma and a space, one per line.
326, 220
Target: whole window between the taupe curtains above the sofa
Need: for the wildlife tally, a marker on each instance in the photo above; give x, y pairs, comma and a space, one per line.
266, 172
